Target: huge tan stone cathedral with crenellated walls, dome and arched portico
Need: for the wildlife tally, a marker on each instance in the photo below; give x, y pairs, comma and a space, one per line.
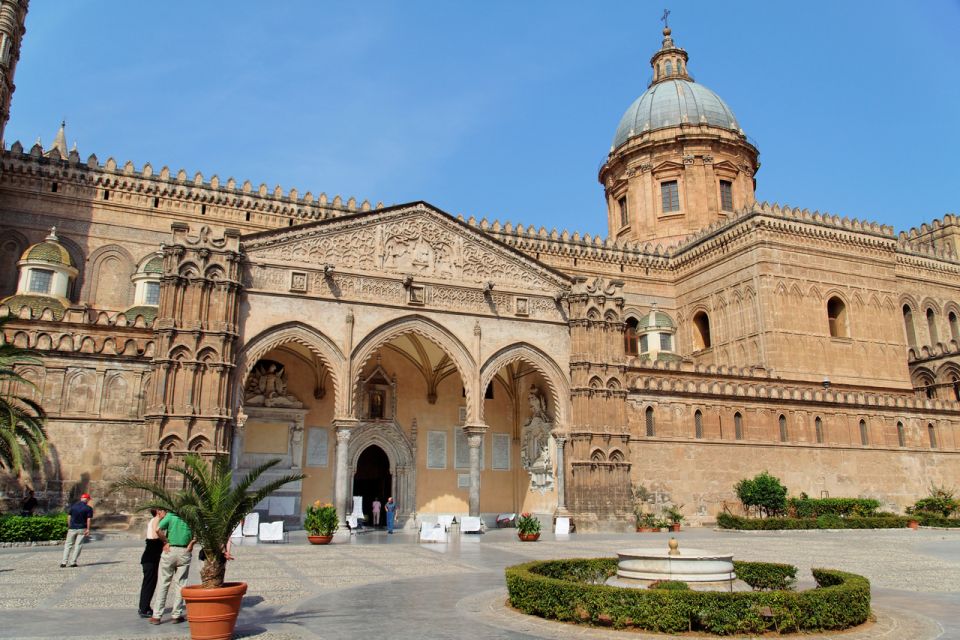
469, 366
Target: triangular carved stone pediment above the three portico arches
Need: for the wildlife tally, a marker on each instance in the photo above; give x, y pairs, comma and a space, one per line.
409, 240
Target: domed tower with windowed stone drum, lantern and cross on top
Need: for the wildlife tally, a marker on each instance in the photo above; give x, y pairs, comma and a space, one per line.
679, 160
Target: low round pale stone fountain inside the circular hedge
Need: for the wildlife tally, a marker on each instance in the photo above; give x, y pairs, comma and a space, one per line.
701, 570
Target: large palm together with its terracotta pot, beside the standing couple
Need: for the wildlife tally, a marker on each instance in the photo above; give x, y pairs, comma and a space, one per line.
212, 506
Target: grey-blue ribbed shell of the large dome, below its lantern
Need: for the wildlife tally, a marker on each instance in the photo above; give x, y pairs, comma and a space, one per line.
671, 103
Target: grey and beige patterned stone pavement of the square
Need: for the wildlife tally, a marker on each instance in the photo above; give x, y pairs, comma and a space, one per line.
376, 584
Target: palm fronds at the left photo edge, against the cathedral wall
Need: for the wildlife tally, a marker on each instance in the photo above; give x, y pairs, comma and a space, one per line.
23, 435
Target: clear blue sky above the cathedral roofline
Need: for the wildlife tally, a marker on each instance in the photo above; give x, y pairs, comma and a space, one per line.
499, 109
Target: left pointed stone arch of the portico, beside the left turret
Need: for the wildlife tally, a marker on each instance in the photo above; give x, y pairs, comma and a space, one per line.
314, 340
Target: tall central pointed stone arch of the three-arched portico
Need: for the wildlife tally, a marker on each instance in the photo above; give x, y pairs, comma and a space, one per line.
426, 328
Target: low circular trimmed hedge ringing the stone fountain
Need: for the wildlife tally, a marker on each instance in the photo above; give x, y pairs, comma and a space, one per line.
573, 591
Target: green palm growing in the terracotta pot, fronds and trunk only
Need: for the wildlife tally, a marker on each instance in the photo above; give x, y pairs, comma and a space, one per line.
211, 505
